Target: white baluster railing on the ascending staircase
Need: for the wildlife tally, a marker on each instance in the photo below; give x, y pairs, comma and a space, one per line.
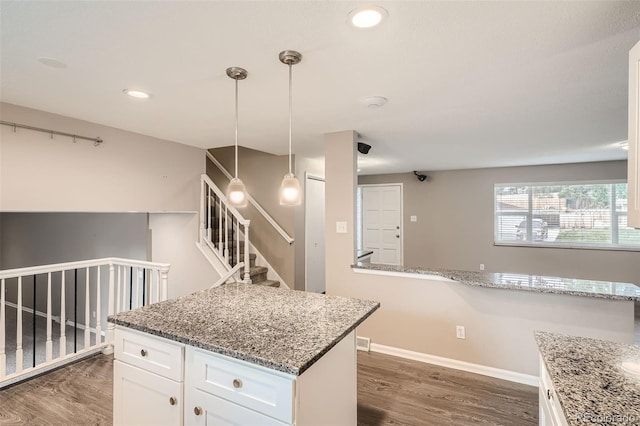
223, 228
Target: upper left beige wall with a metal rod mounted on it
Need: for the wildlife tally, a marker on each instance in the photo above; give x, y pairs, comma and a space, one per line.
128, 172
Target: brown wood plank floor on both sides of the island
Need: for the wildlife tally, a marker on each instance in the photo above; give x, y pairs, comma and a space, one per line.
391, 391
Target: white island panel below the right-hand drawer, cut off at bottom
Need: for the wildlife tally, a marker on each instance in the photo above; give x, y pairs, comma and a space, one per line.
203, 409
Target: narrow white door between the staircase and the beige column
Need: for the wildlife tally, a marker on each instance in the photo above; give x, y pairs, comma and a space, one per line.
314, 234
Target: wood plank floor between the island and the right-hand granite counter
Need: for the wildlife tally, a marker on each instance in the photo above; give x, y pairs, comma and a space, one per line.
396, 391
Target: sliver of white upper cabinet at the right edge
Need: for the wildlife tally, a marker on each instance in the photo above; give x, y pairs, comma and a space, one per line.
633, 175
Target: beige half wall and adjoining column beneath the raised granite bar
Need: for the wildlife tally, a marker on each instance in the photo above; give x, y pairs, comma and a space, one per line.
420, 315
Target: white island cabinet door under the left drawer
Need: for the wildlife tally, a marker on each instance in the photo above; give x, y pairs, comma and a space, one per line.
144, 398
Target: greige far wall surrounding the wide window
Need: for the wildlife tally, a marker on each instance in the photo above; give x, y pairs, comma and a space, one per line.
455, 223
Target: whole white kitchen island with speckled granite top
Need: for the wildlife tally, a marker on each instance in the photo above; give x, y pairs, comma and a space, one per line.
239, 354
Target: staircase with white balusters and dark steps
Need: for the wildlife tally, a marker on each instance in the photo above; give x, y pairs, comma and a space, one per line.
224, 236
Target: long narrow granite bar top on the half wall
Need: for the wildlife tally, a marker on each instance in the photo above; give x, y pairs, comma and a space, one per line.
536, 283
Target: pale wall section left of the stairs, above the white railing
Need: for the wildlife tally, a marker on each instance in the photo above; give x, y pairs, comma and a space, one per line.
173, 239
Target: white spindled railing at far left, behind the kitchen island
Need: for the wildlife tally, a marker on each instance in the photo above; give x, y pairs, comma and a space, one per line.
55, 314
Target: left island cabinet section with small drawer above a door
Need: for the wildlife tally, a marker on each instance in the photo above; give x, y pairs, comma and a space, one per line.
147, 380
